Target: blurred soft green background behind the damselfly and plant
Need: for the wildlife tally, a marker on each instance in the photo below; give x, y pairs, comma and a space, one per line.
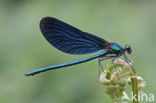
23, 48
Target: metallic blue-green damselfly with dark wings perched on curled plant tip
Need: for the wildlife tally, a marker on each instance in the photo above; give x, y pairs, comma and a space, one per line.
74, 41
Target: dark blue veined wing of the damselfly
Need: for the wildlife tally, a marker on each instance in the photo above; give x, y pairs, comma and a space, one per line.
69, 39
